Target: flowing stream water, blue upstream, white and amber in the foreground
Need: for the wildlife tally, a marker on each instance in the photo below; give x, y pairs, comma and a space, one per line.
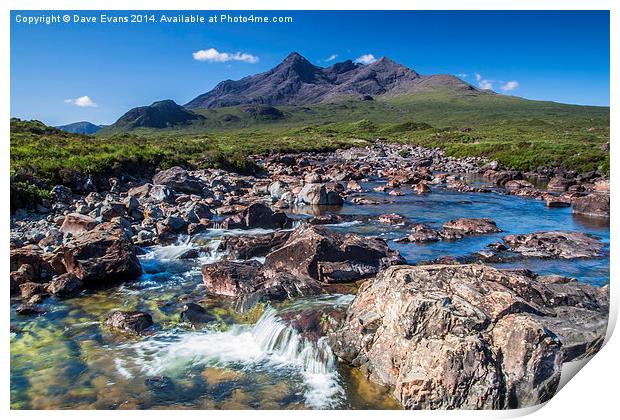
66, 358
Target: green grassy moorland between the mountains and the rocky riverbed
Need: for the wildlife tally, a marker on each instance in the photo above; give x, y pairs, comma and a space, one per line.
519, 133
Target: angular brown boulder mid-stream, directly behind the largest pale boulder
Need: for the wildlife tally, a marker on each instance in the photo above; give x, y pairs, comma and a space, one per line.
330, 257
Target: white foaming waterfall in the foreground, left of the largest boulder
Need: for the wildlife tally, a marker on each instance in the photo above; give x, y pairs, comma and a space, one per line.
266, 345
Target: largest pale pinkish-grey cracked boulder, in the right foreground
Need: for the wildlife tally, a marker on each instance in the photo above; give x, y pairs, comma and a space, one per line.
498, 337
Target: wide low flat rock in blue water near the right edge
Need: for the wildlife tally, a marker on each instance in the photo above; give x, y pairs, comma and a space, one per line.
555, 245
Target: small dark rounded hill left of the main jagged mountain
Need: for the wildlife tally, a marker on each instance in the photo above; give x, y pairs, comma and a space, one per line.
161, 114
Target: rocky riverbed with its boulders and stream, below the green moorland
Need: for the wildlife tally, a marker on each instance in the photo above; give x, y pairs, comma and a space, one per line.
332, 280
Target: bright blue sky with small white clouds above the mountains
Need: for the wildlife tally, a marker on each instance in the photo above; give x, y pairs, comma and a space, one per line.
61, 73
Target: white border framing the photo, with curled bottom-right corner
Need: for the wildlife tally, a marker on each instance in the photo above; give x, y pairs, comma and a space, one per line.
592, 394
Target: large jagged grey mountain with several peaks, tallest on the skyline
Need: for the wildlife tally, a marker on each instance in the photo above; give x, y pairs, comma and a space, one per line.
296, 81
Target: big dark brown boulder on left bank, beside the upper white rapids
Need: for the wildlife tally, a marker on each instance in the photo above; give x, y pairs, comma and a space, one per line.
102, 256
